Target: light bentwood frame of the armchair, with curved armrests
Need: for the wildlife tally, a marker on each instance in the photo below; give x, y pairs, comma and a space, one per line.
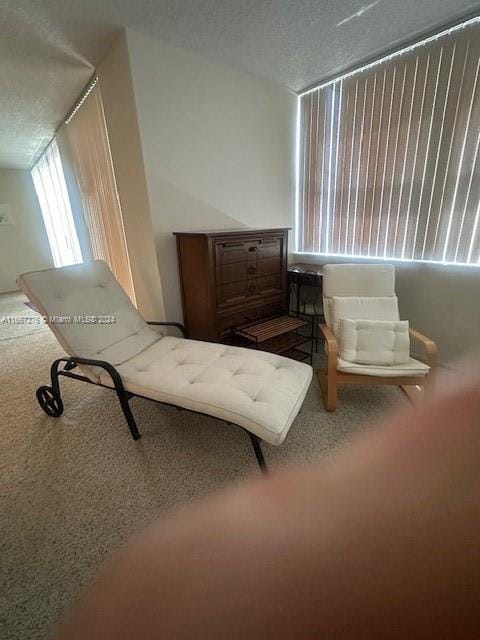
413, 386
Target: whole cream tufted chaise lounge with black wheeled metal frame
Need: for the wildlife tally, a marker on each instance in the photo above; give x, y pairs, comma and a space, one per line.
109, 344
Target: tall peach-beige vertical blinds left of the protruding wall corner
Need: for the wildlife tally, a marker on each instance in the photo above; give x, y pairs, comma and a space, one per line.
92, 164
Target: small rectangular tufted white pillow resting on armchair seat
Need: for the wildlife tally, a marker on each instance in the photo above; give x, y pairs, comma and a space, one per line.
375, 342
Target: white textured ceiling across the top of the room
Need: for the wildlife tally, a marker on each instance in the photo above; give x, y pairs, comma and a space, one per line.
49, 48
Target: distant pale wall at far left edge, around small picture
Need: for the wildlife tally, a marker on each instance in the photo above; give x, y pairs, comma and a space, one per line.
23, 245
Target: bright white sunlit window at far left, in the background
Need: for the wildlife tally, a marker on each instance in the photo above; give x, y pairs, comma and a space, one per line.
49, 182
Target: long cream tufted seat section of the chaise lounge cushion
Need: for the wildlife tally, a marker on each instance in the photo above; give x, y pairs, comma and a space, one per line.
259, 391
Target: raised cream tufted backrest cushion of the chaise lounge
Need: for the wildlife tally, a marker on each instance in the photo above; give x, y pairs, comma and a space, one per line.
89, 289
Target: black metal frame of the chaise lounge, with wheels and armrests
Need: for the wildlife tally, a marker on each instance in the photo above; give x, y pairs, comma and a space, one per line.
50, 400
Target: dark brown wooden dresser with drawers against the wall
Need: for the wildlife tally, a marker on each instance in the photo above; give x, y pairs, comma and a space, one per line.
231, 277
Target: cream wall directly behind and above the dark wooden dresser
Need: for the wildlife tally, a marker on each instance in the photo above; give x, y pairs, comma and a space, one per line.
218, 148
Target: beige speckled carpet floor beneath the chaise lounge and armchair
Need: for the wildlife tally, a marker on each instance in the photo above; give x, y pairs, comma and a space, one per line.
74, 488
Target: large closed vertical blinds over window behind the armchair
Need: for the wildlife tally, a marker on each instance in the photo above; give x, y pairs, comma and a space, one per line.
389, 157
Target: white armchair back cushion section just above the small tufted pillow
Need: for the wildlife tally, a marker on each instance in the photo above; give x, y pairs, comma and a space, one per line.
363, 308
